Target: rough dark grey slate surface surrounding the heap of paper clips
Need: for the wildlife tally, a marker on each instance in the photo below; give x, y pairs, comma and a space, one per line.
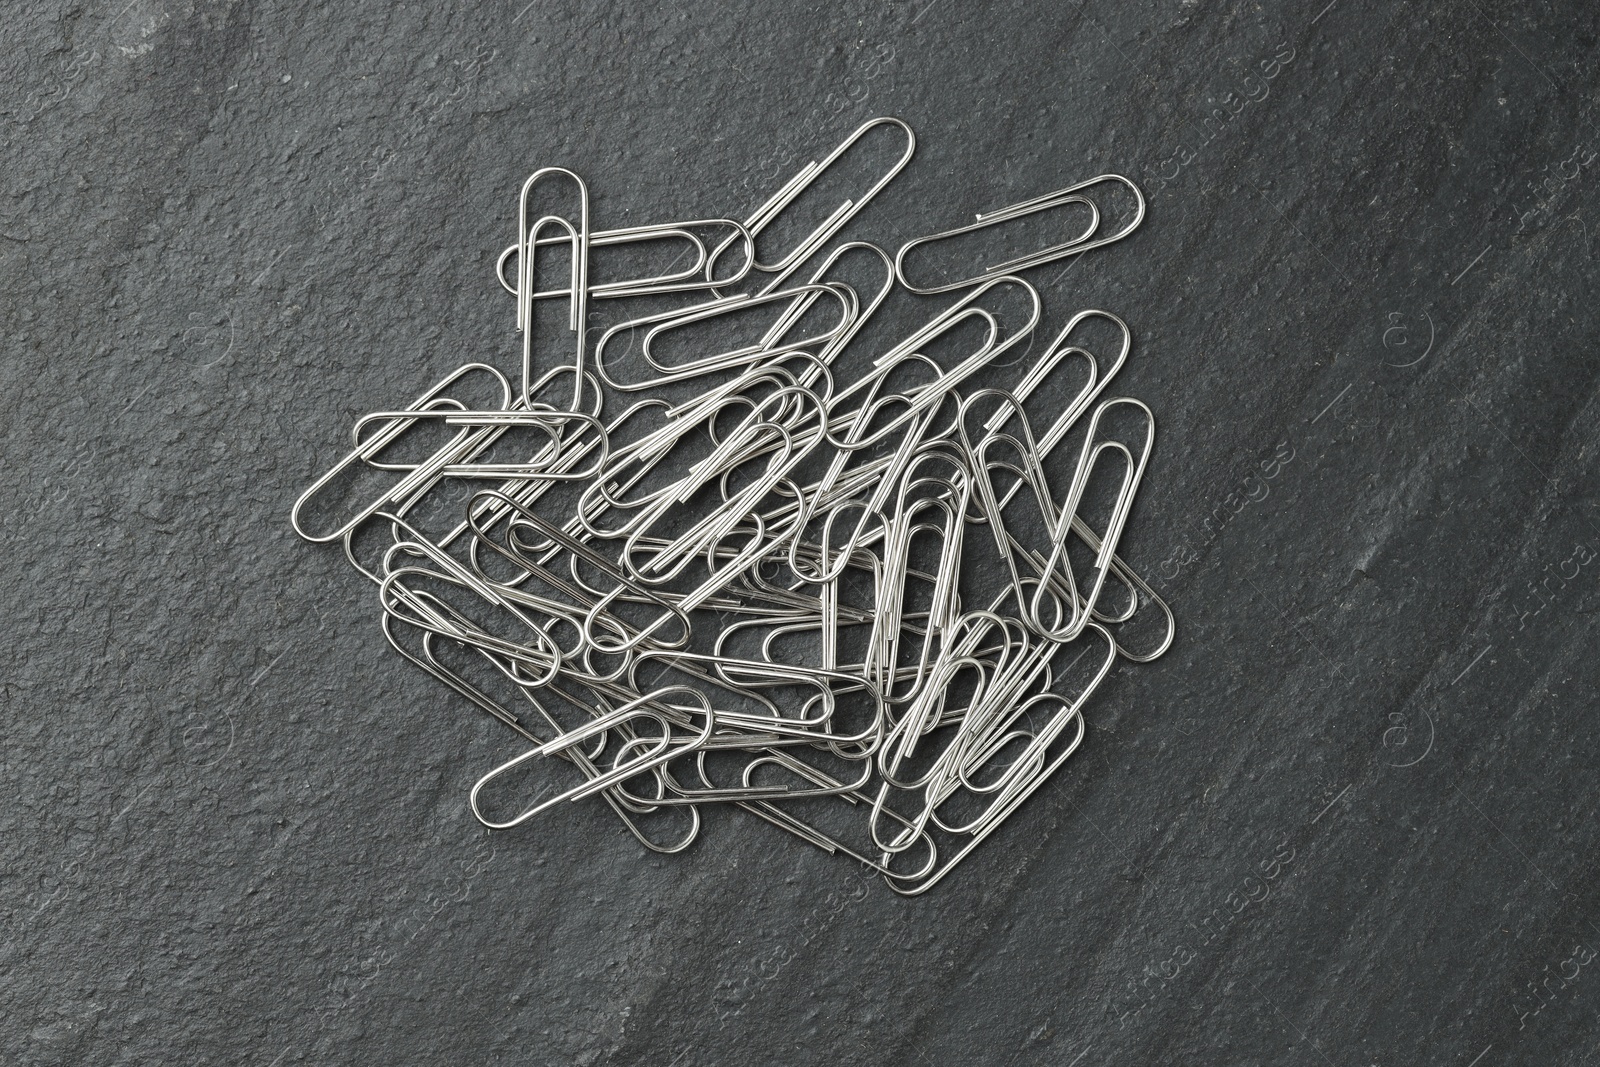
234, 823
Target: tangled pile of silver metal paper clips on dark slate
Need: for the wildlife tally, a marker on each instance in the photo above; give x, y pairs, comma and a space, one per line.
844, 586
